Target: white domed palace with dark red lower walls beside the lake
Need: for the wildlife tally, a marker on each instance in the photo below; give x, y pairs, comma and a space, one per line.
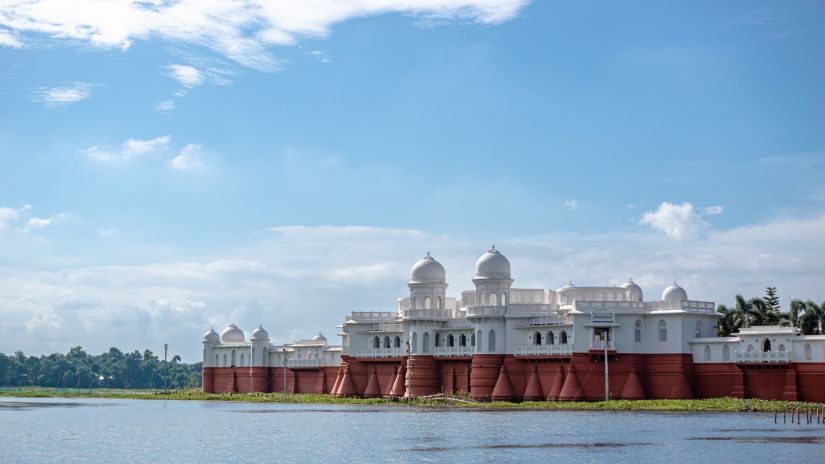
500, 342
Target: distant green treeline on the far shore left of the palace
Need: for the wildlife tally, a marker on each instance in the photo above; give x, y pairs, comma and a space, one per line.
113, 369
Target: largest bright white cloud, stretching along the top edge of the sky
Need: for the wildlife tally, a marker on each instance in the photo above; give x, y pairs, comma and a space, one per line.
241, 31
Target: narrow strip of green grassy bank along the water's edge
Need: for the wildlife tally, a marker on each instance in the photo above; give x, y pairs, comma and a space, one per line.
700, 405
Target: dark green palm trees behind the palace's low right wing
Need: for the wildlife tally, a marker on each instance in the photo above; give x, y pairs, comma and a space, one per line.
808, 316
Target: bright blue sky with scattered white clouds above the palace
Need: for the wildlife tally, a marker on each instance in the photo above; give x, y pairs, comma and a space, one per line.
167, 166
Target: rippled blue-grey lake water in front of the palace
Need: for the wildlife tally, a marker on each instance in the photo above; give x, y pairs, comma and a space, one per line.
141, 431
